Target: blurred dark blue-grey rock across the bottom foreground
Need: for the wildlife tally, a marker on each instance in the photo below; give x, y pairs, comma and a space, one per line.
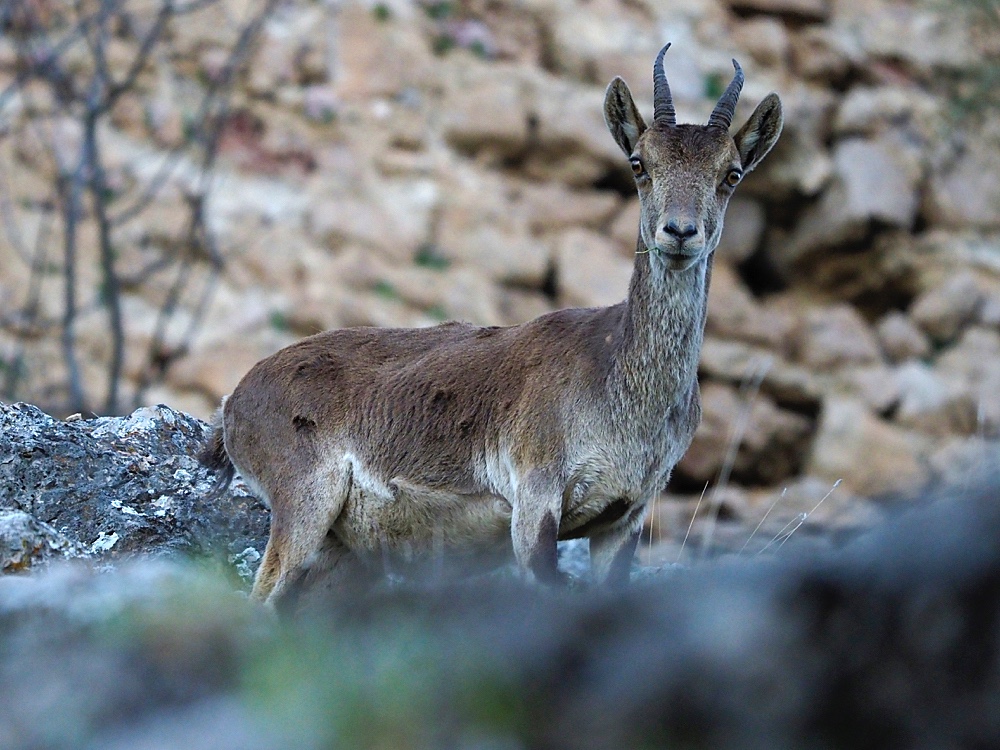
891, 642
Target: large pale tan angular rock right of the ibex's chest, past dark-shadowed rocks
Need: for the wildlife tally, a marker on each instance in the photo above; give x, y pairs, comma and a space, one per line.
870, 456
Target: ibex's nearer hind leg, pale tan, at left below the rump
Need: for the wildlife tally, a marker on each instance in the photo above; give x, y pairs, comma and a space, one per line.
301, 516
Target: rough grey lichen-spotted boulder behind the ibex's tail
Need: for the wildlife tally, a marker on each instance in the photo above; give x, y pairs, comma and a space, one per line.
111, 487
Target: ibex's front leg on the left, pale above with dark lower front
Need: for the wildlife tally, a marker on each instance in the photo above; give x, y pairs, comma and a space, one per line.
535, 526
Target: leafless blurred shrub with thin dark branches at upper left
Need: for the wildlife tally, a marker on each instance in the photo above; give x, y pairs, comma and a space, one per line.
86, 92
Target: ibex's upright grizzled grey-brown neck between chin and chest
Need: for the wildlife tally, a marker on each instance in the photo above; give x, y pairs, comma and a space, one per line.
663, 328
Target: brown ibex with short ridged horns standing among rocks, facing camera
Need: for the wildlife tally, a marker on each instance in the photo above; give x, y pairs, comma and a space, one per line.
371, 443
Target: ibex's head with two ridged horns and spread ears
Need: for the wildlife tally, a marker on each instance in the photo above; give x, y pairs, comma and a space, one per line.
686, 174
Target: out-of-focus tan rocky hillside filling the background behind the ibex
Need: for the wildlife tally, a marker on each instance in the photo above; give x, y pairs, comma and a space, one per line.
403, 163
